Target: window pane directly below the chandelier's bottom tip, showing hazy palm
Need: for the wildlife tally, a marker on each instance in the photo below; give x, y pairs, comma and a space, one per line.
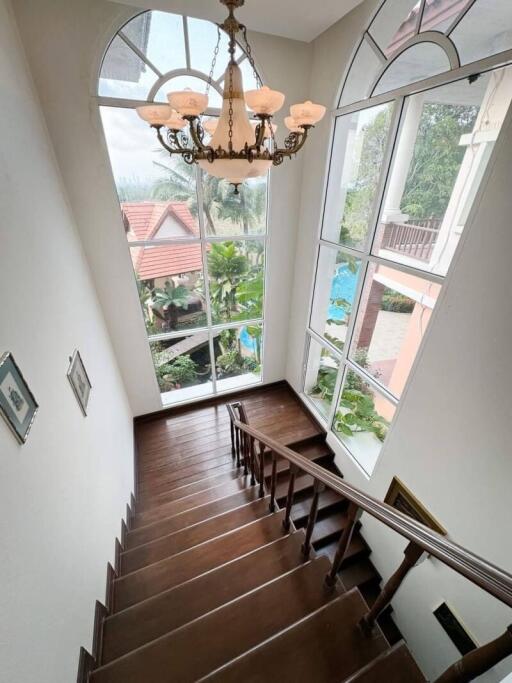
229, 214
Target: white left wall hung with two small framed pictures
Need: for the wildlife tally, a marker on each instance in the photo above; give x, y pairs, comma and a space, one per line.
62, 494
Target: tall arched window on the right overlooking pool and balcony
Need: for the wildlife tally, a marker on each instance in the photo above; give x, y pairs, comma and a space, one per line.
420, 110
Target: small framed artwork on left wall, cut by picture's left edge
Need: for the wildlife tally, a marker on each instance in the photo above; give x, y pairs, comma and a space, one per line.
17, 403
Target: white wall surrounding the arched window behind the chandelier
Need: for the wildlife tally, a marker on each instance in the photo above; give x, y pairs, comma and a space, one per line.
80, 31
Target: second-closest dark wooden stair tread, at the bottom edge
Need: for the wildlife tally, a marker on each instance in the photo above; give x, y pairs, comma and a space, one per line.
325, 647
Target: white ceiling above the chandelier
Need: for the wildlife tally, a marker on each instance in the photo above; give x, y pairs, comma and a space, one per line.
297, 19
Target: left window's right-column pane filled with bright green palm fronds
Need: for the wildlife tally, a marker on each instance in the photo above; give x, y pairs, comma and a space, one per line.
236, 273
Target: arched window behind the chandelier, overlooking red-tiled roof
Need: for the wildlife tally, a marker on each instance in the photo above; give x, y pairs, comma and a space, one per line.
198, 250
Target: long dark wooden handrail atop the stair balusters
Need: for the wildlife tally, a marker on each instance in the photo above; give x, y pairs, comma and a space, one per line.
489, 577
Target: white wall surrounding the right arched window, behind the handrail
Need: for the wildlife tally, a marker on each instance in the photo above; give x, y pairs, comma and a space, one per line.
450, 442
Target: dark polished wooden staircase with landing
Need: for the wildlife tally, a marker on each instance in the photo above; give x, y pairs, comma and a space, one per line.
208, 583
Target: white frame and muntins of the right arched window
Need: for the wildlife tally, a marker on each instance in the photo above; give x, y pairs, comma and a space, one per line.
365, 256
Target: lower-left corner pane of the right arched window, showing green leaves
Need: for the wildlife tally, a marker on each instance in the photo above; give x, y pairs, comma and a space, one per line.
321, 375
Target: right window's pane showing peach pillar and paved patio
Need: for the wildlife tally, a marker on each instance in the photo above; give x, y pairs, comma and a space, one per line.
393, 315
